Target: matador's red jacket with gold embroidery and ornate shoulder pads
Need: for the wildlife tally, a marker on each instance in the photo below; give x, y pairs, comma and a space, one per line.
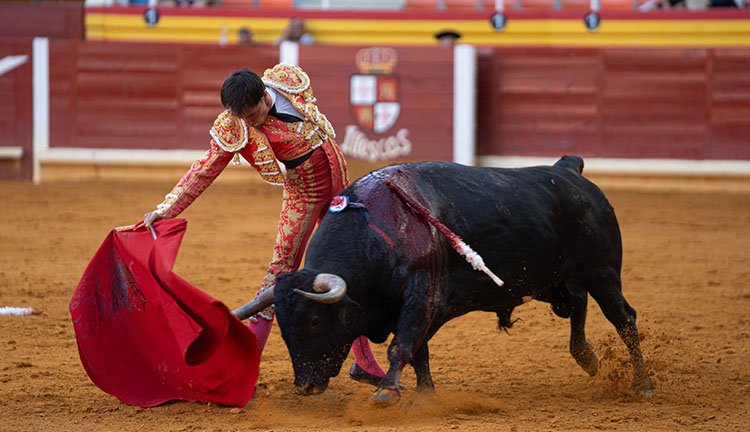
262, 147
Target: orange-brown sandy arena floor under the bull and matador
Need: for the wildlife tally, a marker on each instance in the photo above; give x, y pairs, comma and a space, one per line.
686, 271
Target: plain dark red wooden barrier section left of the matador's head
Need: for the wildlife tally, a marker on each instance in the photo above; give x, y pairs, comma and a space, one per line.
141, 96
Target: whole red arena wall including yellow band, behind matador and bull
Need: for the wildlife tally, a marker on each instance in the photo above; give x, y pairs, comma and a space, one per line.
628, 104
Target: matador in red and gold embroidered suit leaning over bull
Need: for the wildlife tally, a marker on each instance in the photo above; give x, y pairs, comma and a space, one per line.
274, 123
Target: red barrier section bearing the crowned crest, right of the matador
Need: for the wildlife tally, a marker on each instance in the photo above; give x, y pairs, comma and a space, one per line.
419, 80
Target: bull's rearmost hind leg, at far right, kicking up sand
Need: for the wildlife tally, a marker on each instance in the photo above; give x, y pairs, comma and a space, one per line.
605, 286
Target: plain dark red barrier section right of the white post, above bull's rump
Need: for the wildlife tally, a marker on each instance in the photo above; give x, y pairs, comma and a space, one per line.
625, 103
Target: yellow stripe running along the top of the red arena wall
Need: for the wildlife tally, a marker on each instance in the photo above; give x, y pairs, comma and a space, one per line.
520, 32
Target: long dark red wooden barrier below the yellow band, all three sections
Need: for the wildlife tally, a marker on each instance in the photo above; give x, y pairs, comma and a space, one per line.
620, 104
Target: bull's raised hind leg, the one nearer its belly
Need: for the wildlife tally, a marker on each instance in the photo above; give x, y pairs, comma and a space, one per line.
580, 348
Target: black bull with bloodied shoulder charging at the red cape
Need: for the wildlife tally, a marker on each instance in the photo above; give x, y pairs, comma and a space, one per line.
378, 267
